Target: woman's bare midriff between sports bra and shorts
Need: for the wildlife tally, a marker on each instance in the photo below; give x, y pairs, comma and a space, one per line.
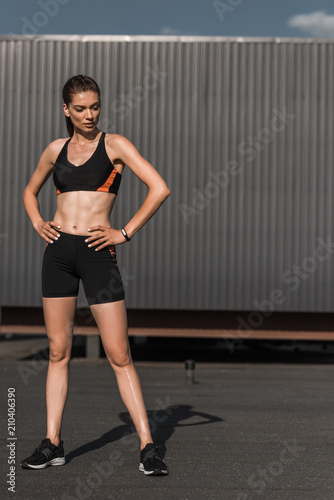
79, 210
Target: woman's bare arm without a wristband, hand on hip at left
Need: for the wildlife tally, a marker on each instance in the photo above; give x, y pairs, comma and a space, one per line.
30, 201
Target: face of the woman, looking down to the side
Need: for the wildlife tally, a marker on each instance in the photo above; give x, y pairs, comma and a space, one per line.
84, 110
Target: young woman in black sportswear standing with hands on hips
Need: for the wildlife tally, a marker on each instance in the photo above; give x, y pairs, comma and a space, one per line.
81, 244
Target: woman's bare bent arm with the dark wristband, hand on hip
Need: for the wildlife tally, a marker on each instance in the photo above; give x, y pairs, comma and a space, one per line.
157, 194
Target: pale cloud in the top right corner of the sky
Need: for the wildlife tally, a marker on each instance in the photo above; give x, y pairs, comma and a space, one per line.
317, 23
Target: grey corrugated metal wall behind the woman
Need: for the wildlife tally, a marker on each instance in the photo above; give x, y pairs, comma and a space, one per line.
242, 132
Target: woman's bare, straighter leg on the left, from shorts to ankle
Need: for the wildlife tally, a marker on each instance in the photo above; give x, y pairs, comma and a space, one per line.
59, 318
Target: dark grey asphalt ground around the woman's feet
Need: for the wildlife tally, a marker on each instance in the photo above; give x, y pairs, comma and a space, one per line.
256, 425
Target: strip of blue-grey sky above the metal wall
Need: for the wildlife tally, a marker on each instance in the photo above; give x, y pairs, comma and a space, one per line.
246, 18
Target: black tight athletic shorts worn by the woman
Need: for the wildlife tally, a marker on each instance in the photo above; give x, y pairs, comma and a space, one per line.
69, 259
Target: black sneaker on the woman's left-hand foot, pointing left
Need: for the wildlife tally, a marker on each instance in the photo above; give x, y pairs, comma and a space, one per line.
45, 454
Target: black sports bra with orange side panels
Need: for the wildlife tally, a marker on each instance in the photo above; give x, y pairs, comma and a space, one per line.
96, 174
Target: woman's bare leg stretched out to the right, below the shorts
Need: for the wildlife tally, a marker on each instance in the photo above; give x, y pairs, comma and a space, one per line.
111, 320
